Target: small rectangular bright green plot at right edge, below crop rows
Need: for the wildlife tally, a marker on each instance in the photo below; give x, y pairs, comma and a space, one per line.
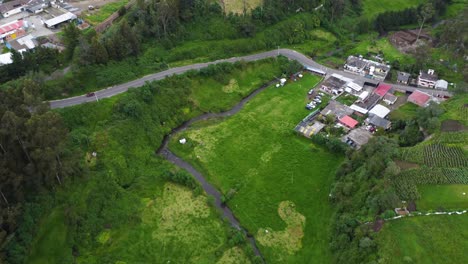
445, 197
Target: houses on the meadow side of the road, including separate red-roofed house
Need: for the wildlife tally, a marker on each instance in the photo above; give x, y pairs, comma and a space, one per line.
371, 107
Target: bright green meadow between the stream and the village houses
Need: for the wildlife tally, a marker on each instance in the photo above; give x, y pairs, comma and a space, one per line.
276, 183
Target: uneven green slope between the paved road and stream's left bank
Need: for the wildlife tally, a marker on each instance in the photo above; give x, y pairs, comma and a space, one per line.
125, 207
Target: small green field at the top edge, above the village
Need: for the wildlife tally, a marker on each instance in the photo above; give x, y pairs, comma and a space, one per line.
371, 8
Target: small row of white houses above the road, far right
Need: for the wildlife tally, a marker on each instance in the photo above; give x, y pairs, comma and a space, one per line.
427, 79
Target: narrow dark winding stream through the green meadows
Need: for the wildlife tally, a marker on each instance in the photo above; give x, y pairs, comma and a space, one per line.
210, 189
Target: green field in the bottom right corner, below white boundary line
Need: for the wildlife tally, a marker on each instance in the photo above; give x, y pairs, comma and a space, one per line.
425, 239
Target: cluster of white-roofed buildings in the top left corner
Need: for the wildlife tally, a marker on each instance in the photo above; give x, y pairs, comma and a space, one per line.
16, 28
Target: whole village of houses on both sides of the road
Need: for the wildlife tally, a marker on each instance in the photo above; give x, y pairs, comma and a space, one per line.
359, 108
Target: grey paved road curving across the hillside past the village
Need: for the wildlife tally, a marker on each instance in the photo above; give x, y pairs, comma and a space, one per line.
291, 54
